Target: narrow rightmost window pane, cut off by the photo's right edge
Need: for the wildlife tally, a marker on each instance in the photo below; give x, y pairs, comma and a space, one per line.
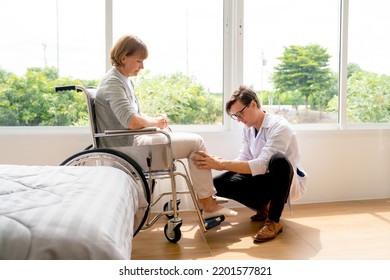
368, 87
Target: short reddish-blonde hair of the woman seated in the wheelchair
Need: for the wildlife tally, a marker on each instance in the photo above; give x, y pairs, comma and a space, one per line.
127, 45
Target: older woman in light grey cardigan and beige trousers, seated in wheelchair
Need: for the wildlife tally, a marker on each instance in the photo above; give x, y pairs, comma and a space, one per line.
116, 107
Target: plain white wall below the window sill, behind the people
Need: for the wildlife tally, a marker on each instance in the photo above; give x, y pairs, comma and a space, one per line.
342, 164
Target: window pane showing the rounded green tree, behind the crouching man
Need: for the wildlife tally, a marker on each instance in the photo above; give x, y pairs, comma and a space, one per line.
291, 57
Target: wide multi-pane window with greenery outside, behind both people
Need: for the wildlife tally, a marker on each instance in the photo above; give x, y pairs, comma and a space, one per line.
291, 51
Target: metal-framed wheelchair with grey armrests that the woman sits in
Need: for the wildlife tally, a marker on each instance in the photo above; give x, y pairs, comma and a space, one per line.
146, 165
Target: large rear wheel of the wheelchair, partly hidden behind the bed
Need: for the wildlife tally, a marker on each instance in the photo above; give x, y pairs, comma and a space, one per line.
108, 157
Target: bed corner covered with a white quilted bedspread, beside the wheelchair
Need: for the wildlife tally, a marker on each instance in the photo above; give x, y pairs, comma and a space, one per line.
64, 212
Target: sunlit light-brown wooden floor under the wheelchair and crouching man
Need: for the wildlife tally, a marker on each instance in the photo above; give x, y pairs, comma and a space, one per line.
338, 230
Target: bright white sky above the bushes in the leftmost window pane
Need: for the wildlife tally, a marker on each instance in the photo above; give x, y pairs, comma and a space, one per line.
65, 34
